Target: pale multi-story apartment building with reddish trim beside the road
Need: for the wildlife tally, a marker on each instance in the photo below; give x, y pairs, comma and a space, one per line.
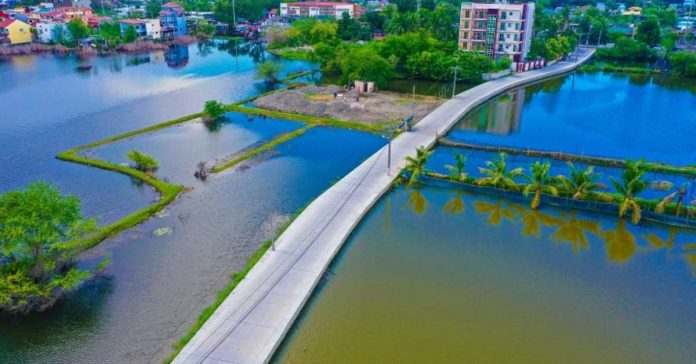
497, 29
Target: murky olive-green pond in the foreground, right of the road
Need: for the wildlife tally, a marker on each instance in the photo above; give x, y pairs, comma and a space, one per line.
435, 275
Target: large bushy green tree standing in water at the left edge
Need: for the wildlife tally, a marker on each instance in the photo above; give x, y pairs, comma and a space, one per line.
38, 228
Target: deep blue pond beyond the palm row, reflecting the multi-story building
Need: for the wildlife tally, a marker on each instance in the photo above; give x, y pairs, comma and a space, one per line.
604, 115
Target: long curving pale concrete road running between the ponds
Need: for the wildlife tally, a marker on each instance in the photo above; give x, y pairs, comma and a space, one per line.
252, 322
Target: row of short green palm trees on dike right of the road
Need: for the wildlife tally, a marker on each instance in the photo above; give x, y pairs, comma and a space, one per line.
579, 184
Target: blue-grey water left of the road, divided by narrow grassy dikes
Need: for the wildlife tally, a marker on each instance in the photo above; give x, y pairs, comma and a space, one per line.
165, 271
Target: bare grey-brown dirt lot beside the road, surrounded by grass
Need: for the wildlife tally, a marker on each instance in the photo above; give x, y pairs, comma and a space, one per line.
376, 107
